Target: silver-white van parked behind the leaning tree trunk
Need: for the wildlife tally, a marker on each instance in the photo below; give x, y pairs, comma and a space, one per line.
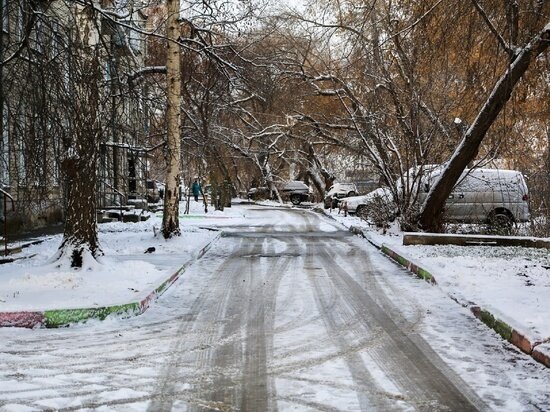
496, 196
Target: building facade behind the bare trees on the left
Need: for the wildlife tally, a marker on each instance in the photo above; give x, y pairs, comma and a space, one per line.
38, 54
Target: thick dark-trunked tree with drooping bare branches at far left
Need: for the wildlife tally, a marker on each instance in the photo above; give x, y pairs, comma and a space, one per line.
54, 99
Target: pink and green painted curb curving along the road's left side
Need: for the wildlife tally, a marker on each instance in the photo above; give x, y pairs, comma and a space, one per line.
65, 317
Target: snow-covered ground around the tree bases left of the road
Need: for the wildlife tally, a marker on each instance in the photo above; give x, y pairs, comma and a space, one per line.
124, 274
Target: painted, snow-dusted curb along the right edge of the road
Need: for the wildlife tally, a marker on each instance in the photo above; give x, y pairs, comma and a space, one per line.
506, 331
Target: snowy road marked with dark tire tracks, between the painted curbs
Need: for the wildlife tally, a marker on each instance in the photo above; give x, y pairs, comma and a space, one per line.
287, 312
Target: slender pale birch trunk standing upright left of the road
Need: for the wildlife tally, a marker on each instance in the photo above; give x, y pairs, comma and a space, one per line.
170, 220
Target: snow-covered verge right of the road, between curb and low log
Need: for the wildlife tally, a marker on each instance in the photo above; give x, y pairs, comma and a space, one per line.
513, 283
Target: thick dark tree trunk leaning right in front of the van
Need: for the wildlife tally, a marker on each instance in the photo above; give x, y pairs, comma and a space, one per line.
432, 209
